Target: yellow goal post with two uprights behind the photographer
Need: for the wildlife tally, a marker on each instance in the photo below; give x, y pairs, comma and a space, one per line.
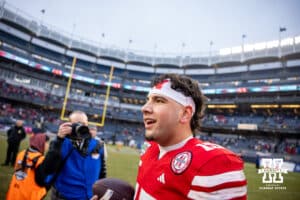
62, 115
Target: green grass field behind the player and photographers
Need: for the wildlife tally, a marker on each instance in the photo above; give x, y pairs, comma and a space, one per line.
122, 163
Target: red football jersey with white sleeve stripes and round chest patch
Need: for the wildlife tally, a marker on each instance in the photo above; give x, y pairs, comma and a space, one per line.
197, 170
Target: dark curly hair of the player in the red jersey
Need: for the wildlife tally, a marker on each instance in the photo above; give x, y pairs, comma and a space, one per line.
188, 87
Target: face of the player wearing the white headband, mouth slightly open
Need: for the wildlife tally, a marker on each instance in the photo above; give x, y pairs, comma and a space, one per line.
161, 118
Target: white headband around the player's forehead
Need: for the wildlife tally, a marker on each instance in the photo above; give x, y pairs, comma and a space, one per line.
164, 88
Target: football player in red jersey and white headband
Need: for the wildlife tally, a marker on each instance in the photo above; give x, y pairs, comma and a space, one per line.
176, 165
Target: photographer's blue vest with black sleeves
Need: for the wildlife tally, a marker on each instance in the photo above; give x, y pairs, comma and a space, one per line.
77, 173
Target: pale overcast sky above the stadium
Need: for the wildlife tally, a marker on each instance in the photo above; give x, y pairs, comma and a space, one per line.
168, 26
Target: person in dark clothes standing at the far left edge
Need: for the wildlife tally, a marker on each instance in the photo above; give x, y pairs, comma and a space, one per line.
14, 137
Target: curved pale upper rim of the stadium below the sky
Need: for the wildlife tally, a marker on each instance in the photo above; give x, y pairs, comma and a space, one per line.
29, 29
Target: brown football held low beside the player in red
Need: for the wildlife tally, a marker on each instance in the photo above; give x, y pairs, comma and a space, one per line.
113, 189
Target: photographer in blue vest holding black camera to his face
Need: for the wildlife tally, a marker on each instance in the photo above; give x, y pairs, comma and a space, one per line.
74, 162
